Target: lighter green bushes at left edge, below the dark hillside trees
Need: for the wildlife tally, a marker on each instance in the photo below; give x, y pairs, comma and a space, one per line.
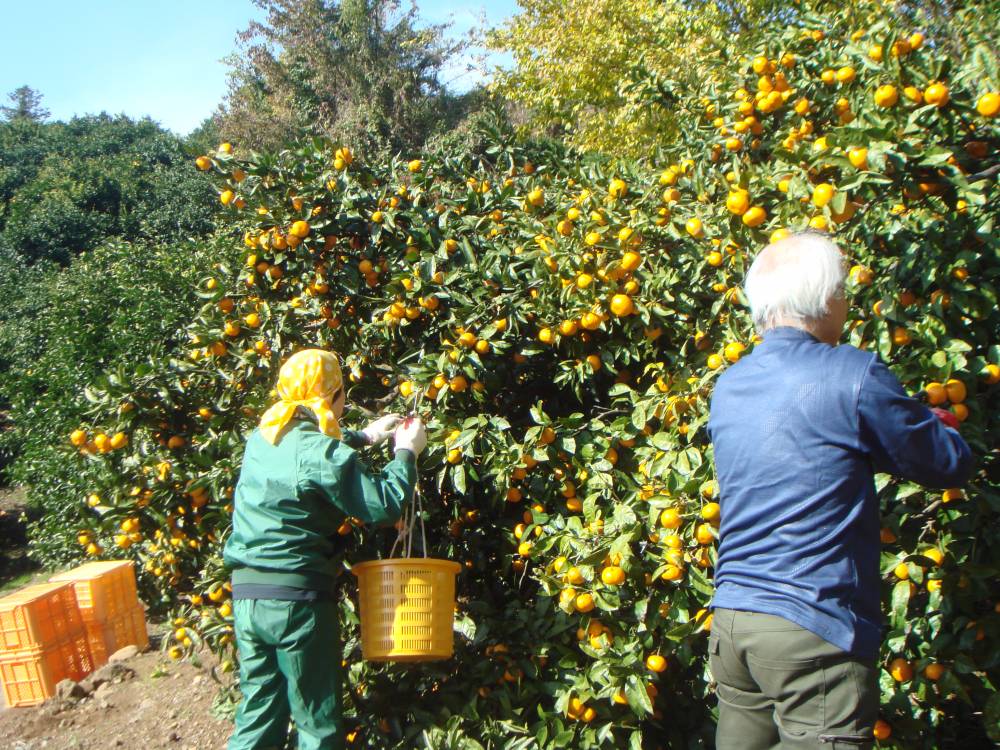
61, 328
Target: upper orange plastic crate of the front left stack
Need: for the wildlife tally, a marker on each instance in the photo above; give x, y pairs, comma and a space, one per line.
38, 616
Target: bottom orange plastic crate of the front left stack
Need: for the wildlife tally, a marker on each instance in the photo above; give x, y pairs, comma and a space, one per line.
30, 676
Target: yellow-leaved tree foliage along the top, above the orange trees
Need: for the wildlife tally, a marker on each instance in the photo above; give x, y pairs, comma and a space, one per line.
618, 94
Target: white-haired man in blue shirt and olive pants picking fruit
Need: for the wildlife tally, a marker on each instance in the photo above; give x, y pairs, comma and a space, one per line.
799, 428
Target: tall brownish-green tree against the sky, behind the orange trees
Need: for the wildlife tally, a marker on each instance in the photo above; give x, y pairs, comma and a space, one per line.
359, 71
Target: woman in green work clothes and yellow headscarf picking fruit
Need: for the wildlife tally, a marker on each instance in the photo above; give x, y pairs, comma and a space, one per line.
301, 479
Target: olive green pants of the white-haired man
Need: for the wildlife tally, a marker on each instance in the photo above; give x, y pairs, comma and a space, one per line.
781, 686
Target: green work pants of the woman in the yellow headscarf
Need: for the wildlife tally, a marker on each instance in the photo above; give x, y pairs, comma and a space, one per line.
289, 668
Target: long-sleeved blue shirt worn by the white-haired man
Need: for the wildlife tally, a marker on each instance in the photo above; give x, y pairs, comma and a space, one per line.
799, 429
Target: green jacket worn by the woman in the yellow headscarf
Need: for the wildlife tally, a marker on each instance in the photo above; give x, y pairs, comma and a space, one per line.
292, 497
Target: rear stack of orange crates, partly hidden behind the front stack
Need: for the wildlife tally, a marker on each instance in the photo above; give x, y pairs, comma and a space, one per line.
109, 606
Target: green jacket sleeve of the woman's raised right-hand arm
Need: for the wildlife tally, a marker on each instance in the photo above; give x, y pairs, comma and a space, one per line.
345, 480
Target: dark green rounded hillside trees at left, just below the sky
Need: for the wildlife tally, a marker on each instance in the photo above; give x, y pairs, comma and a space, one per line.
66, 187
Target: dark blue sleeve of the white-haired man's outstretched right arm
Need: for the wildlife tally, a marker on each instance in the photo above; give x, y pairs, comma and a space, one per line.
904, 438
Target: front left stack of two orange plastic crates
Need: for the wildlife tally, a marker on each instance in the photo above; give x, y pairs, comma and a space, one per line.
42, 642
